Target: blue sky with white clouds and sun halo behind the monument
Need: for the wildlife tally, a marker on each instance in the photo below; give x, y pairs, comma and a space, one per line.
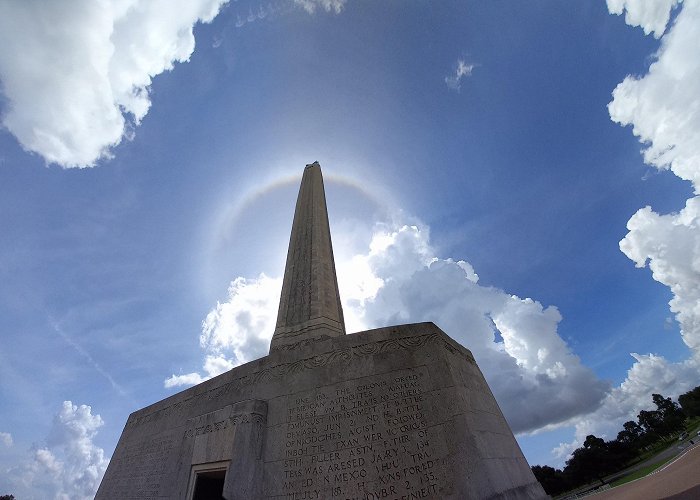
523, 174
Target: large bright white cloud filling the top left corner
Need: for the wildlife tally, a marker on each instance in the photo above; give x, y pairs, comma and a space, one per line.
76, 74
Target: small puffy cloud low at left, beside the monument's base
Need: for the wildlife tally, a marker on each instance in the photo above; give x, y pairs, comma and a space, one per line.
70, 465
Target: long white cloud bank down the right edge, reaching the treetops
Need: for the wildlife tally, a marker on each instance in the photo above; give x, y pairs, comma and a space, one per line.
663, 108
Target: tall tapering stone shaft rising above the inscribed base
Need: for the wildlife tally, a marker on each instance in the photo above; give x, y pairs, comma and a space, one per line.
309, 303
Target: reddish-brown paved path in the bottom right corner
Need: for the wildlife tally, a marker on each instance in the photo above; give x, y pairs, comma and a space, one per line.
679, 480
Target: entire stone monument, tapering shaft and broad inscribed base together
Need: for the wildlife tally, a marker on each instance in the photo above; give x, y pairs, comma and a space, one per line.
401, 412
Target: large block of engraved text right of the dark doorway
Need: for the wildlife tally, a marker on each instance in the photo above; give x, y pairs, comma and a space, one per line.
364, 439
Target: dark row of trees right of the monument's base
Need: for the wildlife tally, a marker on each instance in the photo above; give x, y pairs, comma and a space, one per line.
598, 458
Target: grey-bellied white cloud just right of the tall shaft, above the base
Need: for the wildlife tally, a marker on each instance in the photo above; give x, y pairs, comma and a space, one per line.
530, 369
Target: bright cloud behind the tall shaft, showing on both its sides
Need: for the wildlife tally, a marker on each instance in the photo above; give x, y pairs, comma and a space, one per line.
400, 280
